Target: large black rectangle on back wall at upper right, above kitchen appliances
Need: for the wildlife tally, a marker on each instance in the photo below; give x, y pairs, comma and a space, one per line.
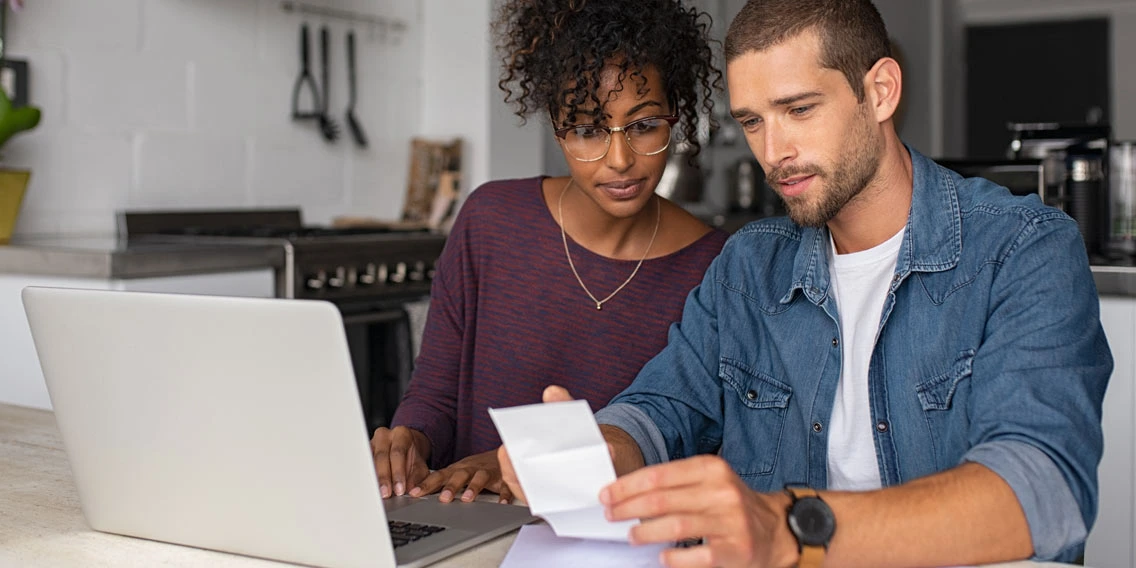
1045, 72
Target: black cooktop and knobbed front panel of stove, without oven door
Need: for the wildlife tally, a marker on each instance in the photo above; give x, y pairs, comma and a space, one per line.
340, 265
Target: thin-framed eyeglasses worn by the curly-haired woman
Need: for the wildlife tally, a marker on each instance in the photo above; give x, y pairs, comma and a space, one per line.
591, 143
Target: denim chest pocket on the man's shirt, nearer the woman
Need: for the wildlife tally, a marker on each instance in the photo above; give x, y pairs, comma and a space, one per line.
756, 406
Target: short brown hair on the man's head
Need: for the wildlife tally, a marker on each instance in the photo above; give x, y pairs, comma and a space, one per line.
853, 34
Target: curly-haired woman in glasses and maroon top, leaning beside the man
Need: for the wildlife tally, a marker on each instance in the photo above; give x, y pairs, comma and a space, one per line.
569, 281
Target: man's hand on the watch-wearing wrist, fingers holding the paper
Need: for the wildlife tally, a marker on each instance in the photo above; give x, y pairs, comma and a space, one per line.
703, 498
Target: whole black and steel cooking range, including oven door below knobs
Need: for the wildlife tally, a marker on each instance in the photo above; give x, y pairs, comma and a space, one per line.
369, 273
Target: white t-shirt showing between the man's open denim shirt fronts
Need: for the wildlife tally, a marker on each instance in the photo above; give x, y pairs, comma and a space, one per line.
859, 283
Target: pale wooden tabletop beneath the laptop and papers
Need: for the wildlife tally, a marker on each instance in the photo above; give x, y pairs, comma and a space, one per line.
41, 523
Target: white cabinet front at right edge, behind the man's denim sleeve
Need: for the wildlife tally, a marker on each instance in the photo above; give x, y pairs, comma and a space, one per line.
1110, 544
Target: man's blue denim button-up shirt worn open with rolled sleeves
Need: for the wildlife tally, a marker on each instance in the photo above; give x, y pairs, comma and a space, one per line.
990, 350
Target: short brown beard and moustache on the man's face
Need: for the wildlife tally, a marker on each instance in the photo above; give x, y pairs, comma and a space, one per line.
854, 171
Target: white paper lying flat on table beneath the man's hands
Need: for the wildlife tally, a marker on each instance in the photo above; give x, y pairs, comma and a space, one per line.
538, 546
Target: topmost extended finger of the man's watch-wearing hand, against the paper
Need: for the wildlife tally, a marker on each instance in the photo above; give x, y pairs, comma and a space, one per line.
701, 470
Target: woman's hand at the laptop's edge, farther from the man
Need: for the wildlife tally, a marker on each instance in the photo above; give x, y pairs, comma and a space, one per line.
400, 460
